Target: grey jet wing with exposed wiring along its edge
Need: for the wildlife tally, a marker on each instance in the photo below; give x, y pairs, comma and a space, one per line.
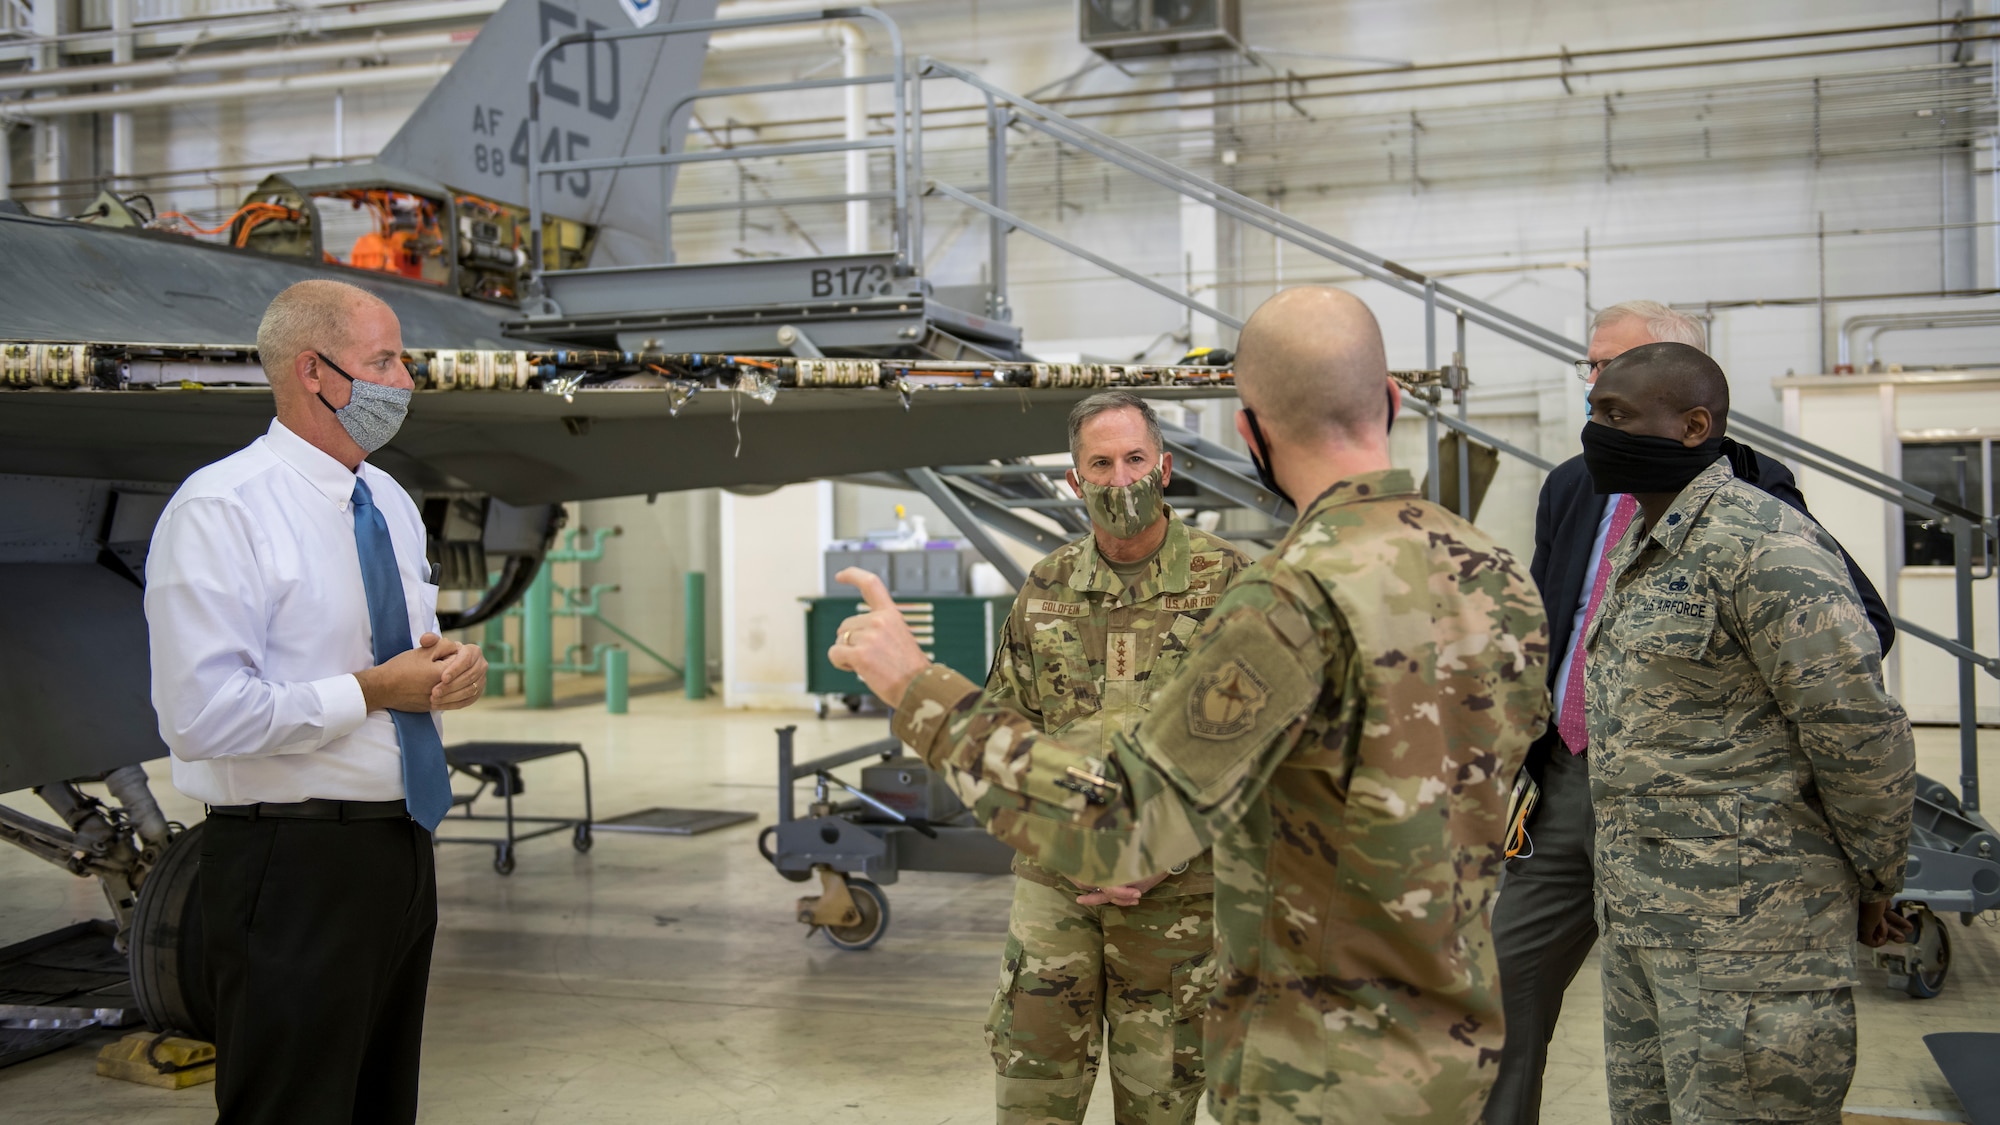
539, 447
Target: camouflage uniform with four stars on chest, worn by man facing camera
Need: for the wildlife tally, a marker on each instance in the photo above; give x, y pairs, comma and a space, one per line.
1079, 658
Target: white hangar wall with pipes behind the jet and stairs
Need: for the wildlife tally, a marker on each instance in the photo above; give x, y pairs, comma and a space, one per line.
1777, 195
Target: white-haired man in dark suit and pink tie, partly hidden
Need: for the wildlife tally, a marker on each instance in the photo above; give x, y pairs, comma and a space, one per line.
1543, 924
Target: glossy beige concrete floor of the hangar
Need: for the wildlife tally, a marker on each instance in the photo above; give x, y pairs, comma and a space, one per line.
665, 980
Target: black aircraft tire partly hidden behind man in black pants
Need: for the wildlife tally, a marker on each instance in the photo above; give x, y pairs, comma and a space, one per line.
169, 970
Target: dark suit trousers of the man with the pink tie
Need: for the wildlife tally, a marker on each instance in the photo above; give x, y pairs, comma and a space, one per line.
1543, 930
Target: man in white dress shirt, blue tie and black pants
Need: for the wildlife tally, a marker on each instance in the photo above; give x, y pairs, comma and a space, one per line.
297, 670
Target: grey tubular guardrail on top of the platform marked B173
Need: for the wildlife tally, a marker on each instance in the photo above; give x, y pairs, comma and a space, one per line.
899, 81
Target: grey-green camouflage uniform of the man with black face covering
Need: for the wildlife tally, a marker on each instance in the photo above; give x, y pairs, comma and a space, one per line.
1753, 788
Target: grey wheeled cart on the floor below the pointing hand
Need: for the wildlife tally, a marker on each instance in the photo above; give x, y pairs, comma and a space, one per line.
901, 818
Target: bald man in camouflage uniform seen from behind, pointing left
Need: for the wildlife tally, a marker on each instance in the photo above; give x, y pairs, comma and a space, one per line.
1343, 732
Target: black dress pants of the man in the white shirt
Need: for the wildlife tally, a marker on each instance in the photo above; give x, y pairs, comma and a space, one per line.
319, 952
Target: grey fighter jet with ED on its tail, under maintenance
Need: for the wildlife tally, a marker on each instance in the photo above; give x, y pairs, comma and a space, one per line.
559, 349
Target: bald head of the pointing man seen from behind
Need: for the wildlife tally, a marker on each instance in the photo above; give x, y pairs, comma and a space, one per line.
1311, 365
